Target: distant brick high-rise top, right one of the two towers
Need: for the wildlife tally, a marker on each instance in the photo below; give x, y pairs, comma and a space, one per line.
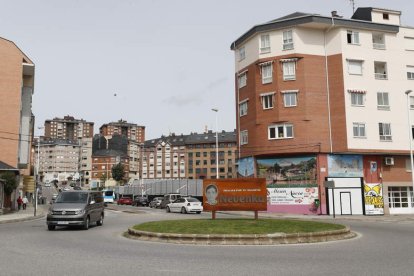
131, 131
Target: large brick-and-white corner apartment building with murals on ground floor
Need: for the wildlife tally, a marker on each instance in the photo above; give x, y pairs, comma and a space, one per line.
322, 104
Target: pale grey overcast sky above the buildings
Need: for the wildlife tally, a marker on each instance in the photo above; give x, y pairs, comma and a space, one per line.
163, 64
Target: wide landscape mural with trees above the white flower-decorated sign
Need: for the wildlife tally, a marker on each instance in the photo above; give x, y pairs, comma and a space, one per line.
282, 171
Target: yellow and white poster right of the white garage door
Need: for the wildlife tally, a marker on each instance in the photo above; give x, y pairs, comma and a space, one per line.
374, 201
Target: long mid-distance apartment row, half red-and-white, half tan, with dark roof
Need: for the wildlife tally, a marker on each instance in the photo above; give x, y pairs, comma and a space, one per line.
190, 156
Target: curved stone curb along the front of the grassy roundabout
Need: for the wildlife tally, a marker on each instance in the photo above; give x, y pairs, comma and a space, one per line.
254, 239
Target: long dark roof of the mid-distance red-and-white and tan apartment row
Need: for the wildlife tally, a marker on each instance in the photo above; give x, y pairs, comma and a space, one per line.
208, 137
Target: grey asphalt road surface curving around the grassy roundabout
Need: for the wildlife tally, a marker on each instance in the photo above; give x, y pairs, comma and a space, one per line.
28, 248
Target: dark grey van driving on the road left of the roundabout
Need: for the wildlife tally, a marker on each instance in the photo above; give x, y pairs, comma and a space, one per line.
76, 208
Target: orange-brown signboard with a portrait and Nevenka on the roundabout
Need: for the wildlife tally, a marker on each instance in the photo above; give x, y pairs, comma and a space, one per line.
247, 194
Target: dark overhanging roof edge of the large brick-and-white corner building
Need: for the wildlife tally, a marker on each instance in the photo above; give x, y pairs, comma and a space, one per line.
299, 18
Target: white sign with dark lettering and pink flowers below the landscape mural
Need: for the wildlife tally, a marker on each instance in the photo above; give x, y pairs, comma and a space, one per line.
292, 196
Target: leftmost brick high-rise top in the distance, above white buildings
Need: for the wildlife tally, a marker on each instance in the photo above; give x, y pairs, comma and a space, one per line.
68, 128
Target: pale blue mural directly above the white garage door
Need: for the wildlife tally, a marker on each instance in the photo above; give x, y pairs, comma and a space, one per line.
345, 166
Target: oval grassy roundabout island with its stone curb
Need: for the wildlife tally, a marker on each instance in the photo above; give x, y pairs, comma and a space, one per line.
310, 232
